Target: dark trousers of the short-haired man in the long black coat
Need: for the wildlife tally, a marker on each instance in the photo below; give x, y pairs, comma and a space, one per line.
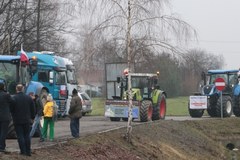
24, 140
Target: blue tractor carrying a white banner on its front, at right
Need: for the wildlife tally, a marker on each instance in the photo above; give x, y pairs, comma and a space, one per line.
209, 97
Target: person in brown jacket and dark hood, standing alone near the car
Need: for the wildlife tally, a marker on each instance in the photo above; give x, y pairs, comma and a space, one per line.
75, 113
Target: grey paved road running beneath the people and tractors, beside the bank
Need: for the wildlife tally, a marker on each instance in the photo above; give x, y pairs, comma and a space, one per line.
88, 125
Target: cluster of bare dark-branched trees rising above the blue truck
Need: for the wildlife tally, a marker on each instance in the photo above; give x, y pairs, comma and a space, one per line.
18, 21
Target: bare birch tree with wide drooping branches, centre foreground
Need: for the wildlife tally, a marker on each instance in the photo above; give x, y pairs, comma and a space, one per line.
142, 18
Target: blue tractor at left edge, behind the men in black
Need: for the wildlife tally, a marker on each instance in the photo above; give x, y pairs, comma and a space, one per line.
15, 70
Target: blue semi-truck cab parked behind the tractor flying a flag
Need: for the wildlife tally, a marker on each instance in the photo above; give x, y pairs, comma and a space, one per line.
51, 73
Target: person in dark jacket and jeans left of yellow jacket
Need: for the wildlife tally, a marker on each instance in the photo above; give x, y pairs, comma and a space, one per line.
36, 126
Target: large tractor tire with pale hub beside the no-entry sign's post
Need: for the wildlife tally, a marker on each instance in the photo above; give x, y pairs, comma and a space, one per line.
226, 105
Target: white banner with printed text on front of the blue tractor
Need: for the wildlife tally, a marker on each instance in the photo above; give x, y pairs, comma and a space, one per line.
198, 102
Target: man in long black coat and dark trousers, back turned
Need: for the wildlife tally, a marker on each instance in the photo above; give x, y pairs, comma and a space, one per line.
22, 113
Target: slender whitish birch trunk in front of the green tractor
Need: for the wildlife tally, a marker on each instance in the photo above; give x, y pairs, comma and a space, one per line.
130, 105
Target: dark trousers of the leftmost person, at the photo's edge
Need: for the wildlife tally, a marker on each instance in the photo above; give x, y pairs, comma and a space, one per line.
3, 134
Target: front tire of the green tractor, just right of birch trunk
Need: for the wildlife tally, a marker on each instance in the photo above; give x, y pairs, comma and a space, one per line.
146, 110
